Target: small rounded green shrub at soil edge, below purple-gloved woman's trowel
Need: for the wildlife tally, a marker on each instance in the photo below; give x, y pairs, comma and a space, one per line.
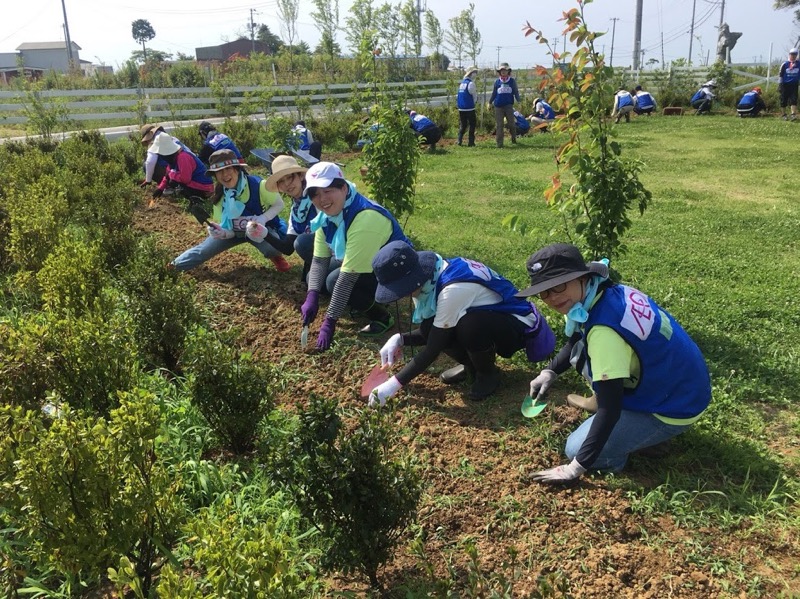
231, 390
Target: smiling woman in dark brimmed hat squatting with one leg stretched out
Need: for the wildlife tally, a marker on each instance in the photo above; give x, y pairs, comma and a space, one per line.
246, 212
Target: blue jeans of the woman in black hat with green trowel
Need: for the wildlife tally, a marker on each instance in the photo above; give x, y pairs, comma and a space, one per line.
633, 431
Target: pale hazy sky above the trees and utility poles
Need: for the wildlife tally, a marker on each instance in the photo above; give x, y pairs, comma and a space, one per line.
103, 27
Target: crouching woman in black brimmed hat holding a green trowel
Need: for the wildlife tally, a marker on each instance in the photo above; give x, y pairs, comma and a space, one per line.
650, 380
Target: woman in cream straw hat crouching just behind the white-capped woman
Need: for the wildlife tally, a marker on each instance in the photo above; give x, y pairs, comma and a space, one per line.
288, 178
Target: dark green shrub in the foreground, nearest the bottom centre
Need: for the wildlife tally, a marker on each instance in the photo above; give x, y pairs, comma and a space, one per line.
351, 485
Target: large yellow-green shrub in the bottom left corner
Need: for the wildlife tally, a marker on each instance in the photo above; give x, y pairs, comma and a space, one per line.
84, 490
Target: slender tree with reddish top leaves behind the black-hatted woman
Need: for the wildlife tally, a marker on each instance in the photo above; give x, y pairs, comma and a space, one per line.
581, 88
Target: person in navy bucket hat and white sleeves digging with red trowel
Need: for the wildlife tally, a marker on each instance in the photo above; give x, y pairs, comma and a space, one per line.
465, 310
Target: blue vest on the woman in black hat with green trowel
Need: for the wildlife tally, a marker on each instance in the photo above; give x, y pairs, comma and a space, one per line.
674, 378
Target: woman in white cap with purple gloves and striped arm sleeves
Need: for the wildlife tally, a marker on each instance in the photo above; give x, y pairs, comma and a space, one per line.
350, 228
